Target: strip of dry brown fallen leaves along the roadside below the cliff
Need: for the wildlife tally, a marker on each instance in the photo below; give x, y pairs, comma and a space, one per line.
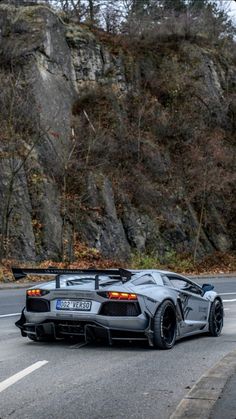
216, 264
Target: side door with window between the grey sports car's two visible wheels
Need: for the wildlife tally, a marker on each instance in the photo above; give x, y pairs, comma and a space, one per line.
194, 307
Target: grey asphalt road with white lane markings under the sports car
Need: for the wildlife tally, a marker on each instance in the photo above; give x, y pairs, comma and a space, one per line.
98, 381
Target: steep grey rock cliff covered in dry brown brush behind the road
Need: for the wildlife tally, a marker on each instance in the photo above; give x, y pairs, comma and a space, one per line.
77, 166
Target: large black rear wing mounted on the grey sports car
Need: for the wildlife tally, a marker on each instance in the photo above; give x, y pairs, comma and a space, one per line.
121, 273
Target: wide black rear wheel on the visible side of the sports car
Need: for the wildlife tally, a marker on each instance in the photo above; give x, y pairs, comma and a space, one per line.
165, 326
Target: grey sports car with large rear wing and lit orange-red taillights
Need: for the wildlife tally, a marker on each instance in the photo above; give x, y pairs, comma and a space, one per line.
118, 304
